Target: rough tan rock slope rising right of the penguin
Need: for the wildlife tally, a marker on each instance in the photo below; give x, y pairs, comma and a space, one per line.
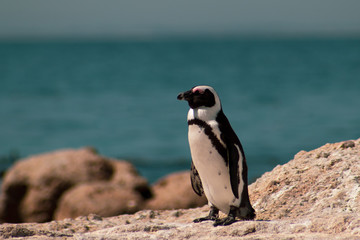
322, 182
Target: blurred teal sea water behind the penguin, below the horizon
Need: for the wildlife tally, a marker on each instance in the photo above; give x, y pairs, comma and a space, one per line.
280, 95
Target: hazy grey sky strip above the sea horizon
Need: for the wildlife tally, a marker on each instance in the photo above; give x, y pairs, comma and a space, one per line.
21, 19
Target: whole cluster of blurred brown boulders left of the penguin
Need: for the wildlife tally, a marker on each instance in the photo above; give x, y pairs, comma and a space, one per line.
71, 183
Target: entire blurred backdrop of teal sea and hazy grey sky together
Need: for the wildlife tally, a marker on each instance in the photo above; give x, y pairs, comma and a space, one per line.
106, 74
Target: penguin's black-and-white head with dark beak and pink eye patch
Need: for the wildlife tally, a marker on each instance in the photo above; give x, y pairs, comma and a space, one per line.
201, 97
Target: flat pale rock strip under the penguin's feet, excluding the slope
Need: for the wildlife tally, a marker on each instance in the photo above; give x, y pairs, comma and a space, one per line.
177, 224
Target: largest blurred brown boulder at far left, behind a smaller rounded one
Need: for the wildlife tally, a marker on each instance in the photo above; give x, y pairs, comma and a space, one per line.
32, 187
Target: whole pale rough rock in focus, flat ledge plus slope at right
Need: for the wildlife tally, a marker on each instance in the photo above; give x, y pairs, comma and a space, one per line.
314, 196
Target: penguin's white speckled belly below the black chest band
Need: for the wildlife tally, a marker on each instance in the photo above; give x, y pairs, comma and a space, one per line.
212, 168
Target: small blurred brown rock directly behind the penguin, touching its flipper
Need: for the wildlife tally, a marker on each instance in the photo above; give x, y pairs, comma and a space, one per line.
173, 192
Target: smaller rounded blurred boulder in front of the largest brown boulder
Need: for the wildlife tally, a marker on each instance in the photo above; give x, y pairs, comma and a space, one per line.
104, 199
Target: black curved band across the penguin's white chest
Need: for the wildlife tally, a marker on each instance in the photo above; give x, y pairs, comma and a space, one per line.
211, 135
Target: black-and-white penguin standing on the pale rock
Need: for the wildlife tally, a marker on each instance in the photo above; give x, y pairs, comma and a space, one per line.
218, 167
